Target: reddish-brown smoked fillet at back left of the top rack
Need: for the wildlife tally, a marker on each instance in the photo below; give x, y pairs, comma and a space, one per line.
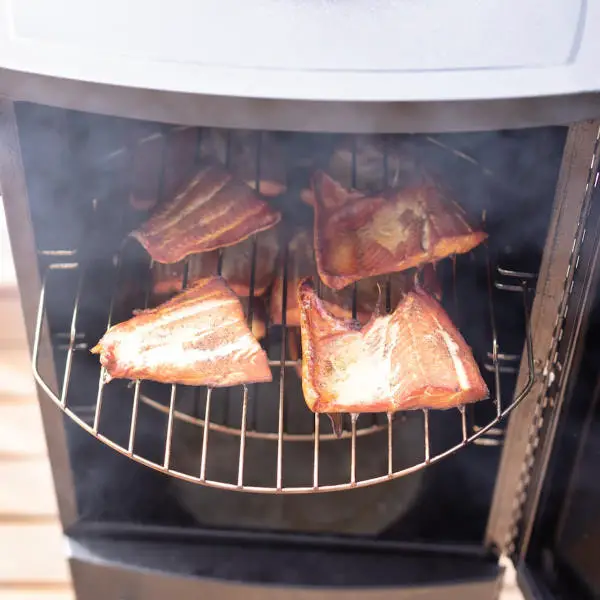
212, 210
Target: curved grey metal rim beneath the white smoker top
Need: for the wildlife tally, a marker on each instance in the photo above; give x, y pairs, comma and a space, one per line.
299, 115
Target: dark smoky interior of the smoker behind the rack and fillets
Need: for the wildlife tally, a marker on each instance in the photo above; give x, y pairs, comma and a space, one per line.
78, 169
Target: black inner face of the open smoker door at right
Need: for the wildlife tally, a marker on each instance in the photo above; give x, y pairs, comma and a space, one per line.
559, 535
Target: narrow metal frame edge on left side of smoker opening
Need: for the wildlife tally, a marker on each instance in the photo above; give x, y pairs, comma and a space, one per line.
16, 206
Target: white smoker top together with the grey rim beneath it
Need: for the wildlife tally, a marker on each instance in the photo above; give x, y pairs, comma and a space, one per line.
385, 68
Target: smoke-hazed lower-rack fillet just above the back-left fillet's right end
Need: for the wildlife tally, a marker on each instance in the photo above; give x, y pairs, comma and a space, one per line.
250, 155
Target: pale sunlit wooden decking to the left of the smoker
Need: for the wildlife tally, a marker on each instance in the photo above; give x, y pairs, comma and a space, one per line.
33, 564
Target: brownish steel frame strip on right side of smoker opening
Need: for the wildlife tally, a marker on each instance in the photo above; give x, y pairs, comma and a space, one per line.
580, 162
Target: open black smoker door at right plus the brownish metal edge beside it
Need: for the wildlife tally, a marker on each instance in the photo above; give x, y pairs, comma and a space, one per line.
546, 510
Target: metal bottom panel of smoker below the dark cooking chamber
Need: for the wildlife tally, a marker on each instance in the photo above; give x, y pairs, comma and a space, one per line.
139, 570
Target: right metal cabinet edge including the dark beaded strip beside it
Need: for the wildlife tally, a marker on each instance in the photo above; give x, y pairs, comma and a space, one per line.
525, 454
